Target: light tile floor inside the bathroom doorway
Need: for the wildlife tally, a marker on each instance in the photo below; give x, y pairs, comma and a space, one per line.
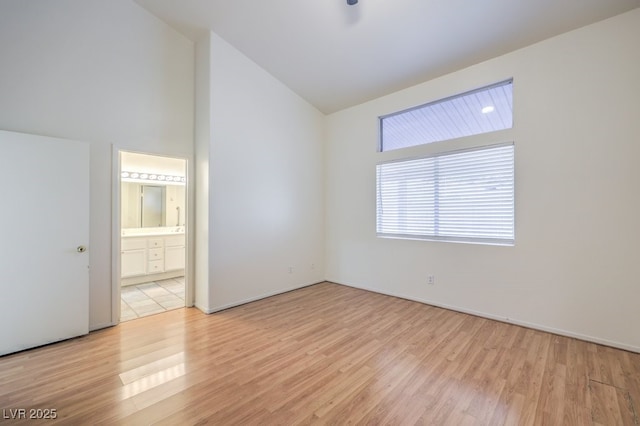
151, 298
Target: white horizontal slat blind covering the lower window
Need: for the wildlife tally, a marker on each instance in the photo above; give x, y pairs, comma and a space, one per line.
459, 196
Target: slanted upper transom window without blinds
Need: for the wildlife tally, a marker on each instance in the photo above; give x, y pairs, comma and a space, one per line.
480, 111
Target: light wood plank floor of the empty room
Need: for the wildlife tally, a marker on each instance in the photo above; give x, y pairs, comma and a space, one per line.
325, 354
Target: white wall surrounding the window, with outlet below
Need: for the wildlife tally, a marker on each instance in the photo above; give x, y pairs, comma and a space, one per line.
574, 268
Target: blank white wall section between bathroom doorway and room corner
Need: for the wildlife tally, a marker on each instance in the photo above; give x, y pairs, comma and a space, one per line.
265, 182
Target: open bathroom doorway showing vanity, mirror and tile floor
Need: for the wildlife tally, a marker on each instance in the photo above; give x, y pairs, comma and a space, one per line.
153, 234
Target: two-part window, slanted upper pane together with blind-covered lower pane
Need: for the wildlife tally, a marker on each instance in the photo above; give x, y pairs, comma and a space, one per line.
465, 195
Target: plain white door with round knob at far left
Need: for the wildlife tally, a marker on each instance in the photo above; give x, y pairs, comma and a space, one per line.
44, 237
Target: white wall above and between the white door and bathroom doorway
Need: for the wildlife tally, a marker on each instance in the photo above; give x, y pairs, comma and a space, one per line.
105, 72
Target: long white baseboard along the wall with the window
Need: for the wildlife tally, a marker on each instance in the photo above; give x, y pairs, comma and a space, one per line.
534, 326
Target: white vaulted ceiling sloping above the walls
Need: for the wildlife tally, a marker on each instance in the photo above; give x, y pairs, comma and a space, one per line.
336, 56
